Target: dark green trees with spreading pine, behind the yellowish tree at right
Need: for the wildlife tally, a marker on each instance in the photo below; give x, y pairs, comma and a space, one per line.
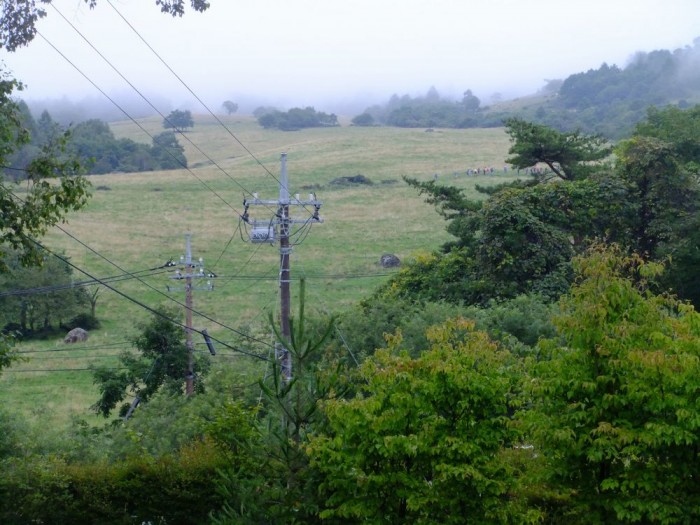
522, 237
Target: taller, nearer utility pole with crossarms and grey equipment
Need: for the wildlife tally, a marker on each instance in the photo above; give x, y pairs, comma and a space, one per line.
264, 232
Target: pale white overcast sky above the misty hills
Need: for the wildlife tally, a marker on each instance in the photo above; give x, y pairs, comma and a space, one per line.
324, 52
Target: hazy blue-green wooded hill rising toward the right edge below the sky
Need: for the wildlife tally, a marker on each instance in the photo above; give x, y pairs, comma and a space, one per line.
609, 100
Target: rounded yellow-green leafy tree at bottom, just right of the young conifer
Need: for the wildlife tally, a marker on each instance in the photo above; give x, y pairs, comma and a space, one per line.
422, 442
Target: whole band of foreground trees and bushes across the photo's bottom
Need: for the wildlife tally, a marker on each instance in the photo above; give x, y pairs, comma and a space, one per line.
596, 422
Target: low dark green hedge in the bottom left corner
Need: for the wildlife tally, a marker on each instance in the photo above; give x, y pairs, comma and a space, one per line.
170, 489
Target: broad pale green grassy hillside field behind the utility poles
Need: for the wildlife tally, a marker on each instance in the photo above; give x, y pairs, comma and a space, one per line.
136, 222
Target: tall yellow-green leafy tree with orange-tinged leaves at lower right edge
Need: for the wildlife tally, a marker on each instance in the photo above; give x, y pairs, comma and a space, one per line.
615, 397
